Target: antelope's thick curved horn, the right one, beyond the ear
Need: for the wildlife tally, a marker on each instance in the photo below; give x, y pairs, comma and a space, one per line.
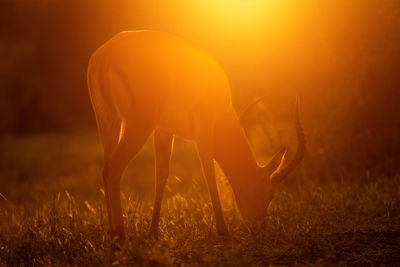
278, 176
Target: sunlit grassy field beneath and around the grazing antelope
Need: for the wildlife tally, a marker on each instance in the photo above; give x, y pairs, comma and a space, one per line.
53, 213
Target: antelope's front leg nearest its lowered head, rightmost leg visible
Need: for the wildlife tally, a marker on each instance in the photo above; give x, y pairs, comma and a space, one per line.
205, 149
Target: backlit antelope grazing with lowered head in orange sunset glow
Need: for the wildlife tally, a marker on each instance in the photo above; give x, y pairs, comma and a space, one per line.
142, 82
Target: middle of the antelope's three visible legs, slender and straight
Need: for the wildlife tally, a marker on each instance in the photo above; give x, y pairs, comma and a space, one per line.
162, 146
